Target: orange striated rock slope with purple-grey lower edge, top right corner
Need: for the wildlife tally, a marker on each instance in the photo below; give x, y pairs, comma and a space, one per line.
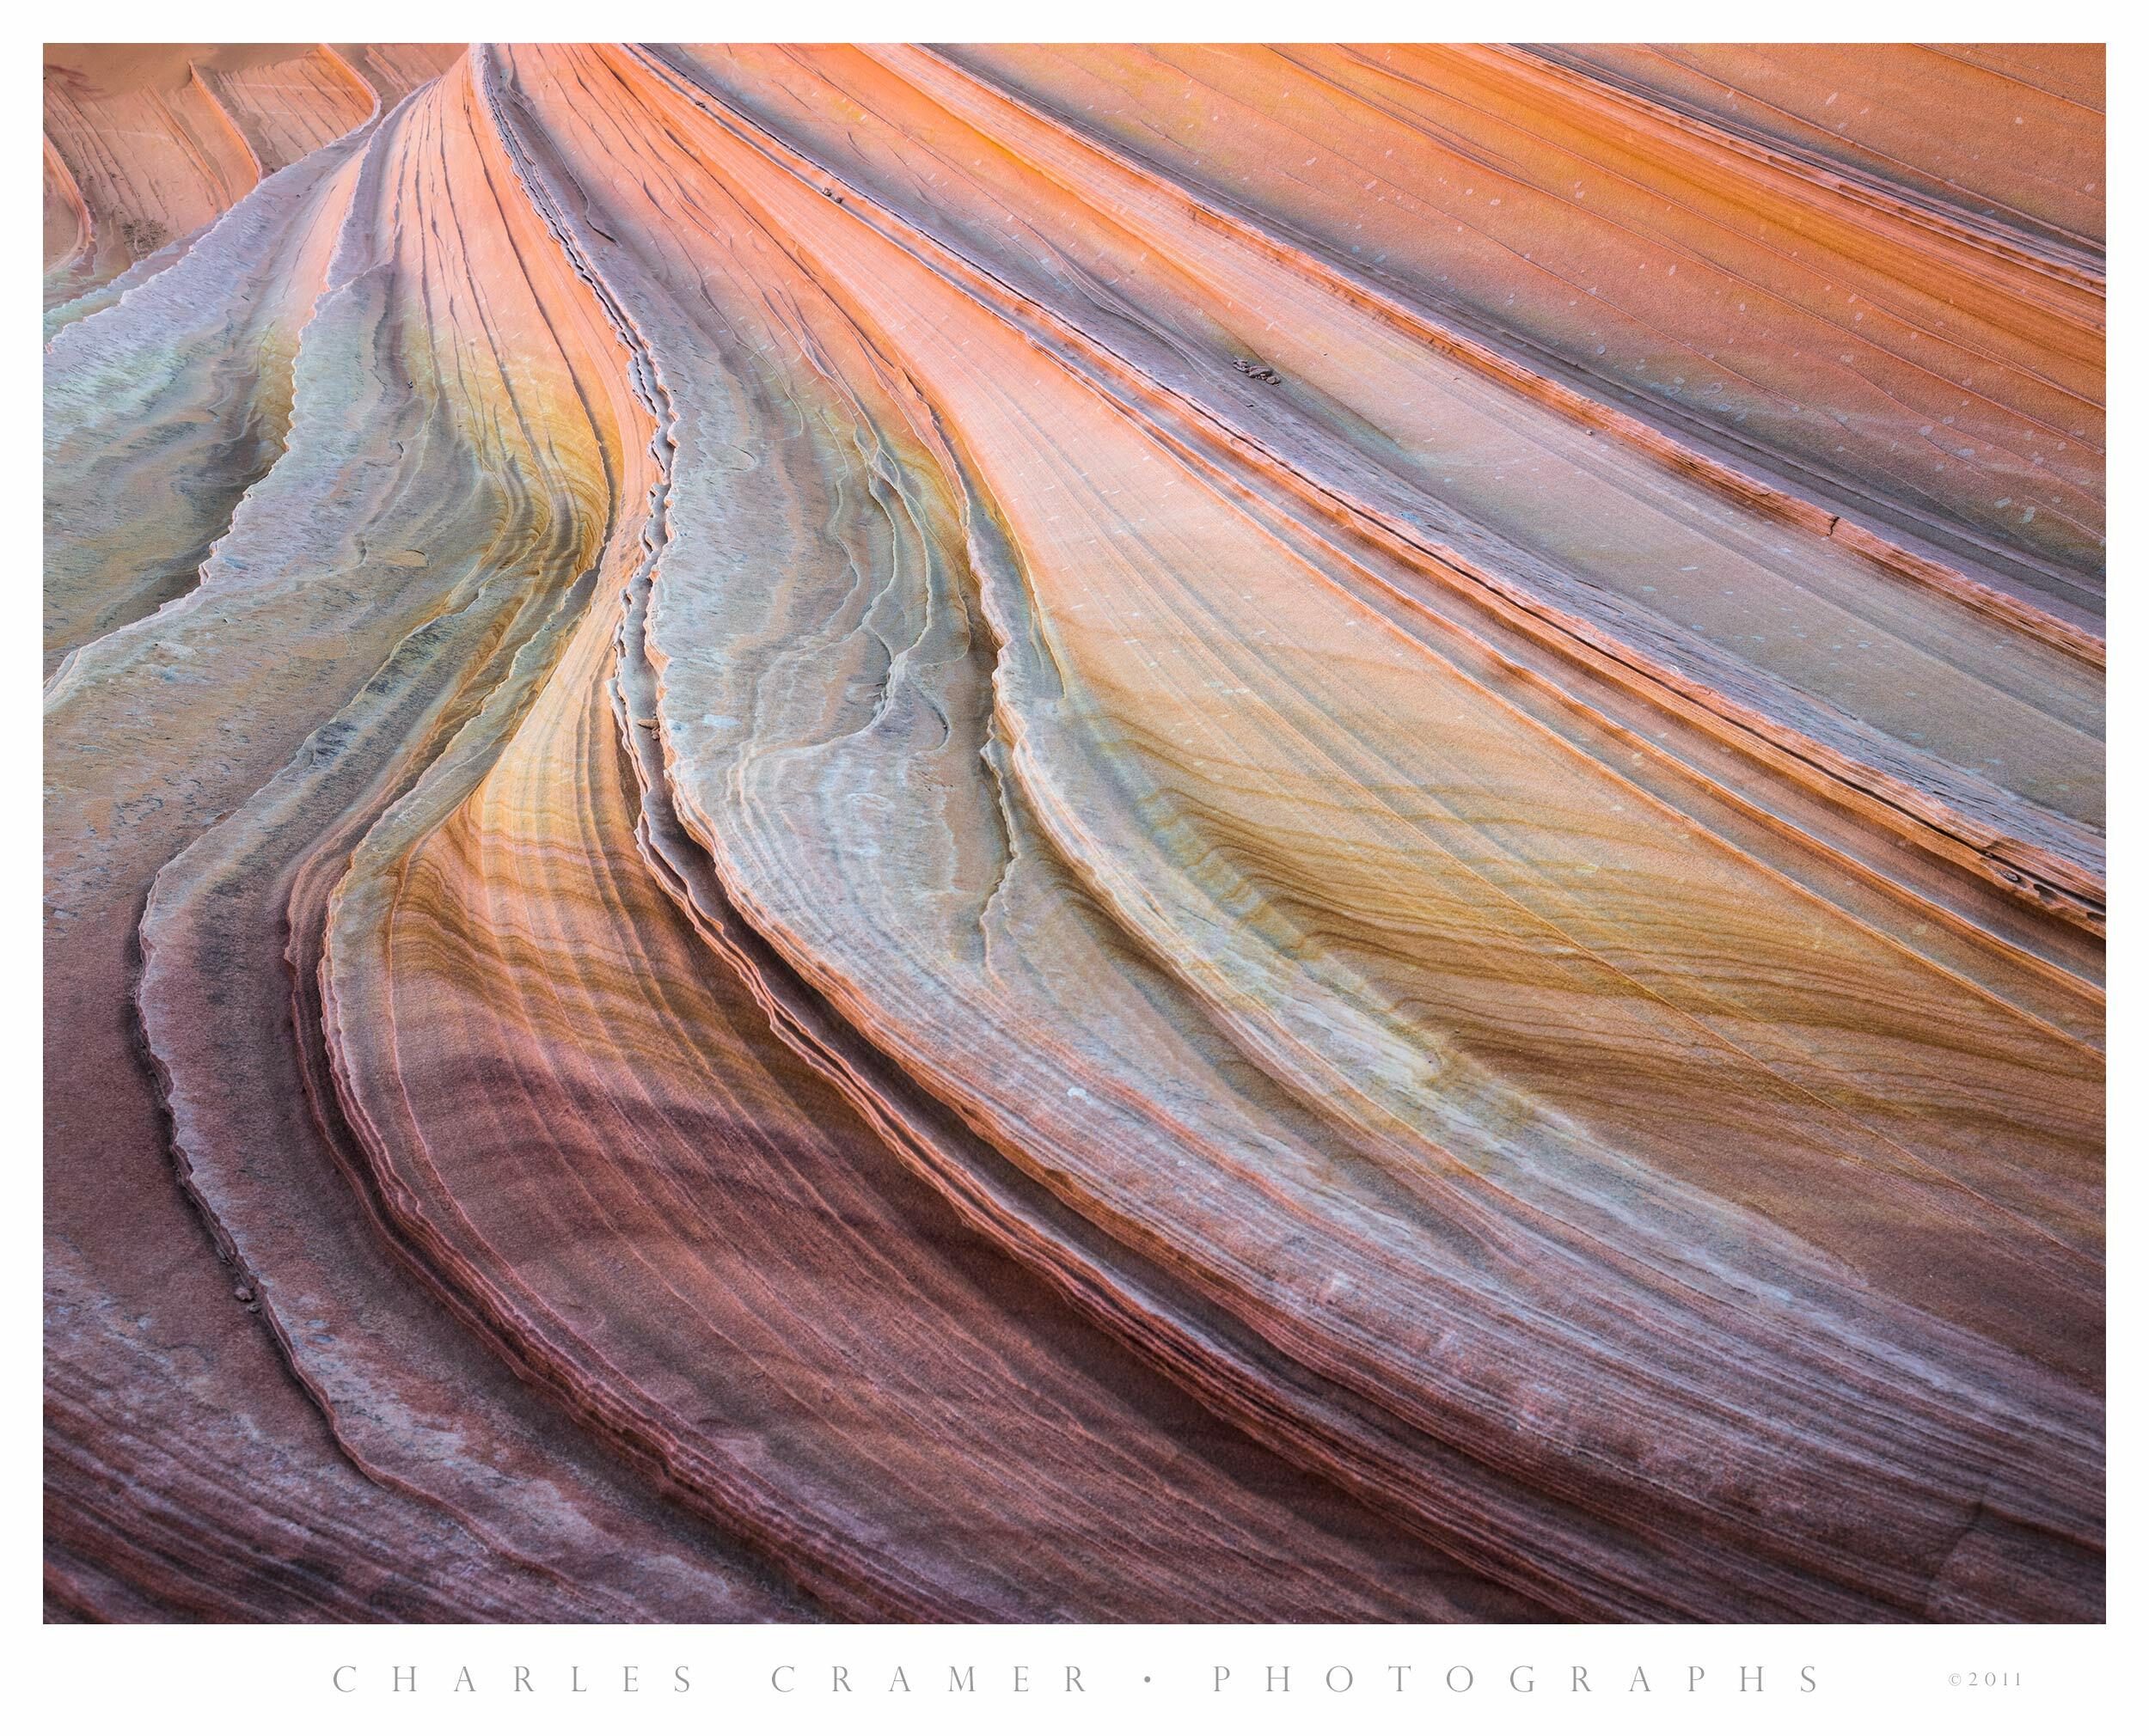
1912, 341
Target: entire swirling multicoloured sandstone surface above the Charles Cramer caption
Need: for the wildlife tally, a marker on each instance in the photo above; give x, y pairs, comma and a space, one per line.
1131, 835
